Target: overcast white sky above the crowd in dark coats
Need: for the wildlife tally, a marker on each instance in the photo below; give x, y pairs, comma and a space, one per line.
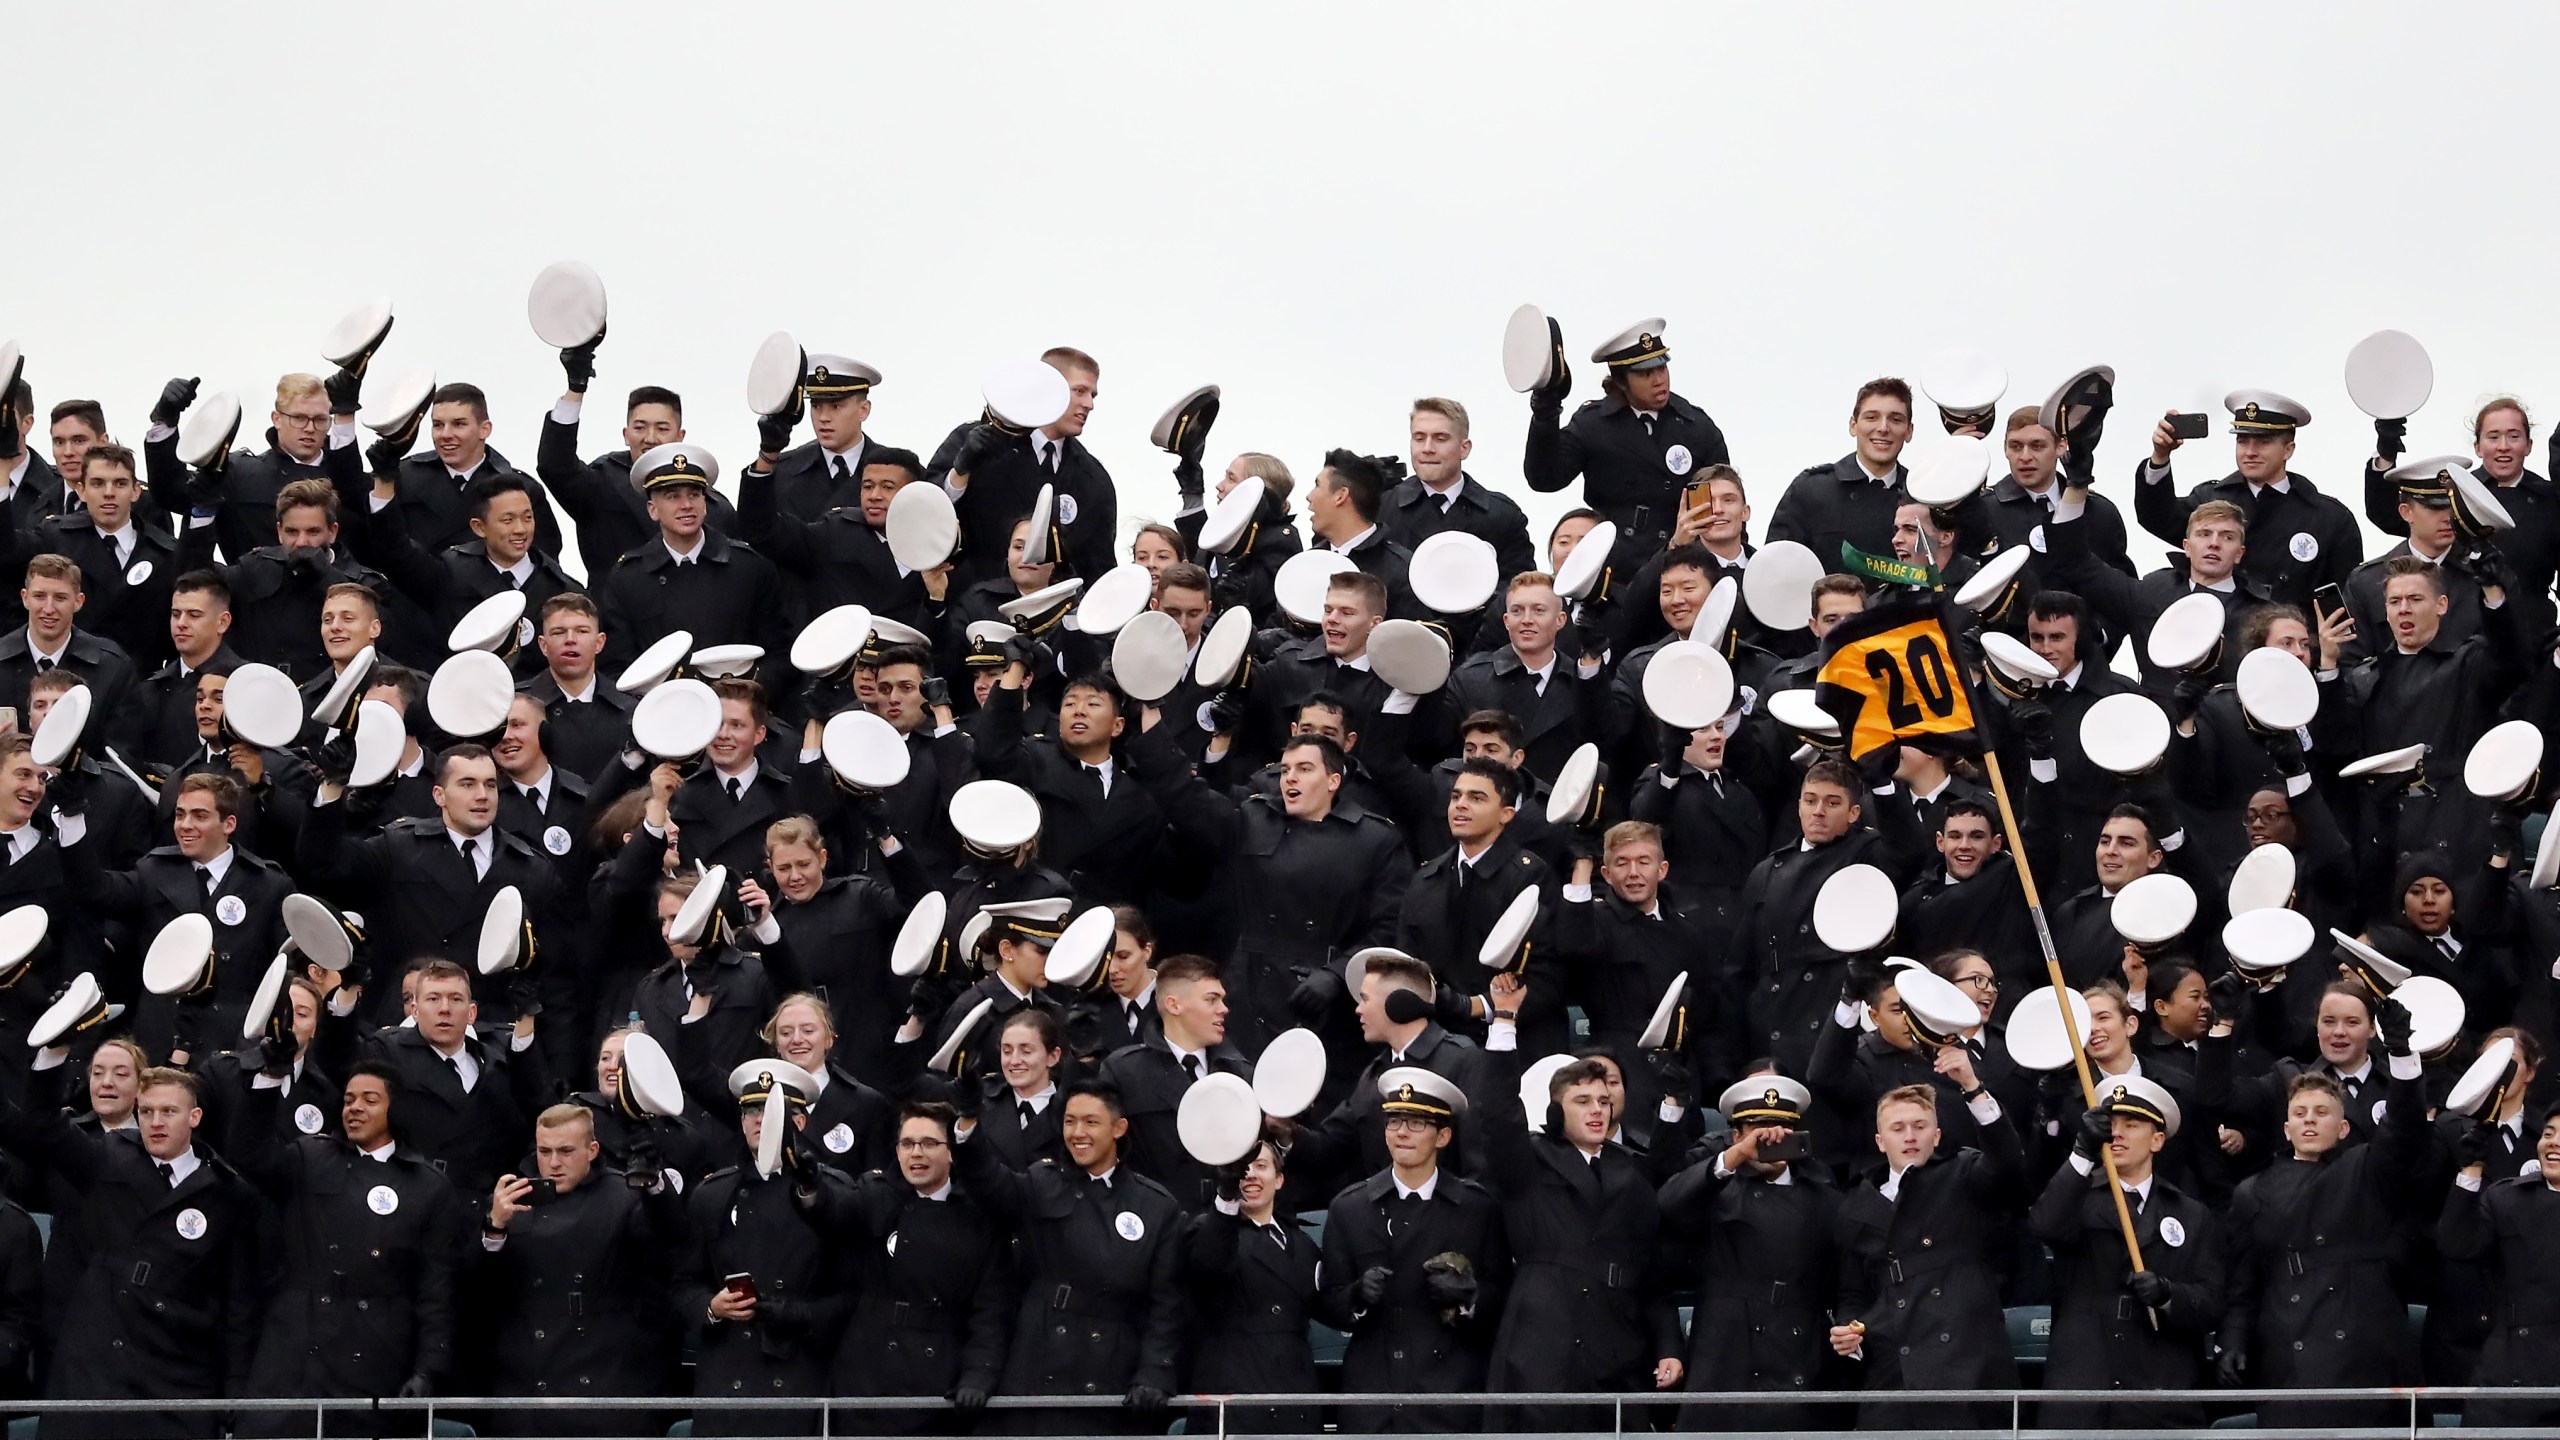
1325, 209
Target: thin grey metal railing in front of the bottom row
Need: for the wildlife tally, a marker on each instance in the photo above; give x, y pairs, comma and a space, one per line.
1210, 1416
